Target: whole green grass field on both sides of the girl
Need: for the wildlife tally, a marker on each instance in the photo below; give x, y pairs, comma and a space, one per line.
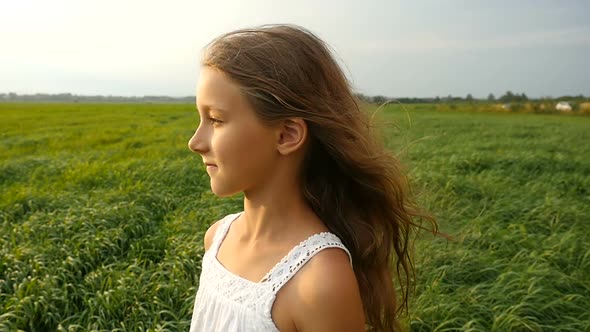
103, 210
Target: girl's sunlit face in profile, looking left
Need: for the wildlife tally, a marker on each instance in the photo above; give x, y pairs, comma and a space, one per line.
238, 149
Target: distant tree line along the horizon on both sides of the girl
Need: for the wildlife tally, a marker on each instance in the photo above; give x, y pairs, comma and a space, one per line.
508, 97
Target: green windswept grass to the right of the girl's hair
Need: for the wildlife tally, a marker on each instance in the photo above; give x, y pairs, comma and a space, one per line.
514, 190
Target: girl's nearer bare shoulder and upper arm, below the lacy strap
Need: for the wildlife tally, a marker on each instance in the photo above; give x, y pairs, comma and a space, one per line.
329, 297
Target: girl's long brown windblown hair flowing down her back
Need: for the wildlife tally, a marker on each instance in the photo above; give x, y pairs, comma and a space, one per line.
356, 187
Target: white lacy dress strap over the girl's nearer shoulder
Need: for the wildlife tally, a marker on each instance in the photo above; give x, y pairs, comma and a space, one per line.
298, 256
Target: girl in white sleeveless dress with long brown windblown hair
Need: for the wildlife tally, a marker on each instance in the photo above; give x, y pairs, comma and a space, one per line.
327, 214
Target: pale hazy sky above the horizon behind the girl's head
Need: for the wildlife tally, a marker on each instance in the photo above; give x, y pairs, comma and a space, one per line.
393, 48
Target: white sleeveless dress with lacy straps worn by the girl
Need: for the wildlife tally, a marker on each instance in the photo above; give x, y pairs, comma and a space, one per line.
229, 303
